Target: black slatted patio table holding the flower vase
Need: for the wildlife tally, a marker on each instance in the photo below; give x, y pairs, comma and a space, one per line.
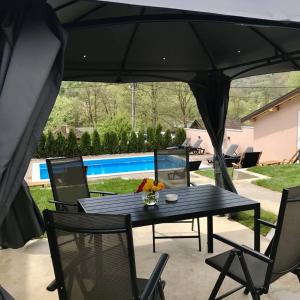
197, 201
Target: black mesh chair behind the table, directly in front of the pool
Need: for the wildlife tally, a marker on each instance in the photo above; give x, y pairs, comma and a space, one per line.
172, 168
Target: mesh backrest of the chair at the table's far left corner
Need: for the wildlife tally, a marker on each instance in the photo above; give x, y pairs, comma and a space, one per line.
68, 179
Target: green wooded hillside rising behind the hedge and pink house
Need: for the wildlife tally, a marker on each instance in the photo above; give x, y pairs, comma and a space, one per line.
109, 106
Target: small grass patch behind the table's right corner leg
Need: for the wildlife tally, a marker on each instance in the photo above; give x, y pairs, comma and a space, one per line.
246, 218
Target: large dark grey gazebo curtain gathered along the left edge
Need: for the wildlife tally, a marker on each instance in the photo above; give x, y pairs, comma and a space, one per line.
32, 44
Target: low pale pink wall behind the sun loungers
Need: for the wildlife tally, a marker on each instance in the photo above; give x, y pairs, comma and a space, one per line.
243, 138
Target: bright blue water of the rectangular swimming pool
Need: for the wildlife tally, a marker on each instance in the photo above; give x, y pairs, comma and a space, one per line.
122, 165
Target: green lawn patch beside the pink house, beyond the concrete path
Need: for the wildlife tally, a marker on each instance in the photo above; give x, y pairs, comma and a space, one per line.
282, 176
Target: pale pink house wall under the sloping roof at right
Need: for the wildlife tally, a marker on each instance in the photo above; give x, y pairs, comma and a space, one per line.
275, 132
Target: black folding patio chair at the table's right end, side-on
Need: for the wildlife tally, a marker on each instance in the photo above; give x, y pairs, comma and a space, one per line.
256, 271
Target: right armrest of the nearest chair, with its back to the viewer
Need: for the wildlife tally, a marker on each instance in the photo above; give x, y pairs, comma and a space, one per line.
155, 277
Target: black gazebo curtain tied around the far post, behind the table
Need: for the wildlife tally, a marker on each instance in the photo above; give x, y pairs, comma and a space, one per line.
211, 91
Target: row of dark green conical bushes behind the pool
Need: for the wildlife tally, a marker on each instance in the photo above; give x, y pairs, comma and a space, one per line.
108, 143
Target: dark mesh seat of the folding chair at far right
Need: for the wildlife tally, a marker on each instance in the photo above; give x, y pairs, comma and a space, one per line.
257, 268
